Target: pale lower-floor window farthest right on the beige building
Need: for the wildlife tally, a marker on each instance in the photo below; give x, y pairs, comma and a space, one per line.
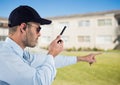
104, 39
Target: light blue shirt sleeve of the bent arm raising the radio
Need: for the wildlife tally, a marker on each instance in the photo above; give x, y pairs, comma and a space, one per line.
46, 72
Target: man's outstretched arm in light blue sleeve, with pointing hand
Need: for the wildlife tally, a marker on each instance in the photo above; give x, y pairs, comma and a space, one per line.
62, 61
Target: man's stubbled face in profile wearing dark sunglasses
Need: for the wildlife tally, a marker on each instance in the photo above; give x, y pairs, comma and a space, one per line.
32, 34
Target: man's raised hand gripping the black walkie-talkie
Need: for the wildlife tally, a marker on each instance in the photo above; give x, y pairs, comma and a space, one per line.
56, 47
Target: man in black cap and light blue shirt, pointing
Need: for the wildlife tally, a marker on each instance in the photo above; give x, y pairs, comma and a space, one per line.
18, 67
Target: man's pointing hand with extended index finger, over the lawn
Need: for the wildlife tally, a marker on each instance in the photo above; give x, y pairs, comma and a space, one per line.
88, 58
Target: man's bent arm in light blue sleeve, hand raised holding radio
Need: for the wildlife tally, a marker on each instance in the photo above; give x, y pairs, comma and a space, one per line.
45, 67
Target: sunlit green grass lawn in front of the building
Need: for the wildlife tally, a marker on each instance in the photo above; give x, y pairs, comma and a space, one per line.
106, 71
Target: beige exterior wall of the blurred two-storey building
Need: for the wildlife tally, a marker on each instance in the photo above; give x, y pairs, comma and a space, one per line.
86, 31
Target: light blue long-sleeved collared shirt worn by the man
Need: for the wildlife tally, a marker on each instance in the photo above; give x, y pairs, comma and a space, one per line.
35, 69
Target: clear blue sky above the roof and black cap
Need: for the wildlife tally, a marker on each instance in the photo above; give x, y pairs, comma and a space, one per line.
52, 8
